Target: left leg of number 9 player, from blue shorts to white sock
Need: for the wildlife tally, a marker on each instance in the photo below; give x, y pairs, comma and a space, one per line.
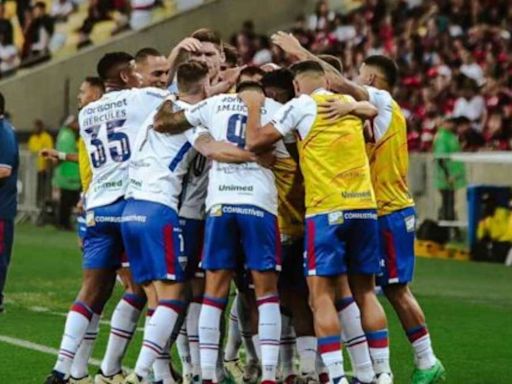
221, 244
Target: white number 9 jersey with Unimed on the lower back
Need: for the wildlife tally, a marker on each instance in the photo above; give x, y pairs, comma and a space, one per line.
246, 183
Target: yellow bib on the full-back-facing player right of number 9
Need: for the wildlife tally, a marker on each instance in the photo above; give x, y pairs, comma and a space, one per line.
334, 163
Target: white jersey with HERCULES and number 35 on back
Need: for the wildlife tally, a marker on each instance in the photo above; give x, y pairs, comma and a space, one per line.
109, 127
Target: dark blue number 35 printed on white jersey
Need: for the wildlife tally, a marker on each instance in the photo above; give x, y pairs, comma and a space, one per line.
118, 144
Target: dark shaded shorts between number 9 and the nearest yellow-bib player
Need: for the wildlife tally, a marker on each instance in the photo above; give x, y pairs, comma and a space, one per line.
292, 270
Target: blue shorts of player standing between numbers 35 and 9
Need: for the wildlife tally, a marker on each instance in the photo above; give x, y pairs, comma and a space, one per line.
153, 241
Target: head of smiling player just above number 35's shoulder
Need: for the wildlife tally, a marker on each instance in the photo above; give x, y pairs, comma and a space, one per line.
153, 67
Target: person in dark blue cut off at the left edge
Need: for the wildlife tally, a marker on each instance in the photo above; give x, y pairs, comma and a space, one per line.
9, 160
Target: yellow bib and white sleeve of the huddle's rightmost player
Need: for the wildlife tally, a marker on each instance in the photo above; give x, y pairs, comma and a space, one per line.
388, 154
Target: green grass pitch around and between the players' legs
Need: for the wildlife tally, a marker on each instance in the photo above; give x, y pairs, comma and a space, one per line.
468, 308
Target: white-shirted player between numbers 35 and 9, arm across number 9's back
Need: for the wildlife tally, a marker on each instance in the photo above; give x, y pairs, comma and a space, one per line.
151, 231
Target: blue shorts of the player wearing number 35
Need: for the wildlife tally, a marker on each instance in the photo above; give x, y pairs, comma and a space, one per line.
102, 242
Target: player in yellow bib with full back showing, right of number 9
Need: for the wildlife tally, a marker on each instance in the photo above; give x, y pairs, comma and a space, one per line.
341, 218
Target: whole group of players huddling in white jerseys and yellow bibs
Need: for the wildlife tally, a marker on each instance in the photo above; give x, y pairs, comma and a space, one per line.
289, 181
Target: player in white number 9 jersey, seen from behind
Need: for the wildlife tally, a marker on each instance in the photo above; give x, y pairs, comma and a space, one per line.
242, 206
